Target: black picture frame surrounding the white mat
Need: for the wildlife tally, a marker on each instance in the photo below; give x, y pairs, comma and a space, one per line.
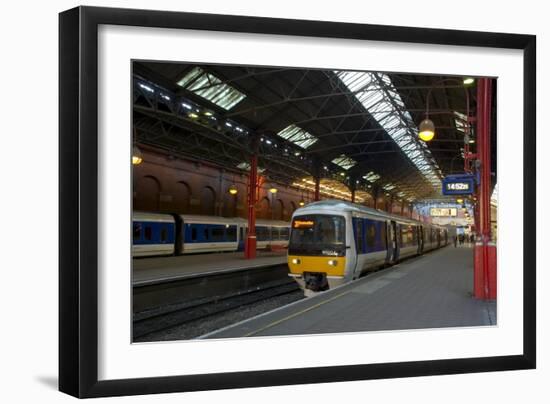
78, 200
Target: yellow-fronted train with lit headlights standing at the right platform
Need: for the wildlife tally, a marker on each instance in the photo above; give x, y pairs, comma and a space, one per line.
333, 242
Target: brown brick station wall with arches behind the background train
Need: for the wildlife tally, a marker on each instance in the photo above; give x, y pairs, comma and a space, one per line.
162, 183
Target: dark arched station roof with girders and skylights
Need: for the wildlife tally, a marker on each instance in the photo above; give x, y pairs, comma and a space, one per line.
357, 128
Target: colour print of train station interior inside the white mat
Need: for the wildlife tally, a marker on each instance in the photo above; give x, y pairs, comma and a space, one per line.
271, 200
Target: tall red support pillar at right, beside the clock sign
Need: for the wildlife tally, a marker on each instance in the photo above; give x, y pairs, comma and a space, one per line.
485, 250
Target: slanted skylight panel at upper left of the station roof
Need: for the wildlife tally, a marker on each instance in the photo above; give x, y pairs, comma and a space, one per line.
211, 88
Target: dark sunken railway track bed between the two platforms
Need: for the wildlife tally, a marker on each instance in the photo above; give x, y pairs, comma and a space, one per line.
161, 306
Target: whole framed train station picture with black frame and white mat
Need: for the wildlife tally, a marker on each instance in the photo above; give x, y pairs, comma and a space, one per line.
250, 201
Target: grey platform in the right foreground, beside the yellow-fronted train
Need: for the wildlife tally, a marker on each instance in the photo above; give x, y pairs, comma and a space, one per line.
431, 291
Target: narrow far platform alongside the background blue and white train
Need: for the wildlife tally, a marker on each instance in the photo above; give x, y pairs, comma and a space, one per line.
163, 269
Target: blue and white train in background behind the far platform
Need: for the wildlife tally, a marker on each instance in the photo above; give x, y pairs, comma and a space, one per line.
161, 234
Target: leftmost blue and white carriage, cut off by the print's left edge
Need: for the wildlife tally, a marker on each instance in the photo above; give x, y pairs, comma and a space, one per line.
153, 234
